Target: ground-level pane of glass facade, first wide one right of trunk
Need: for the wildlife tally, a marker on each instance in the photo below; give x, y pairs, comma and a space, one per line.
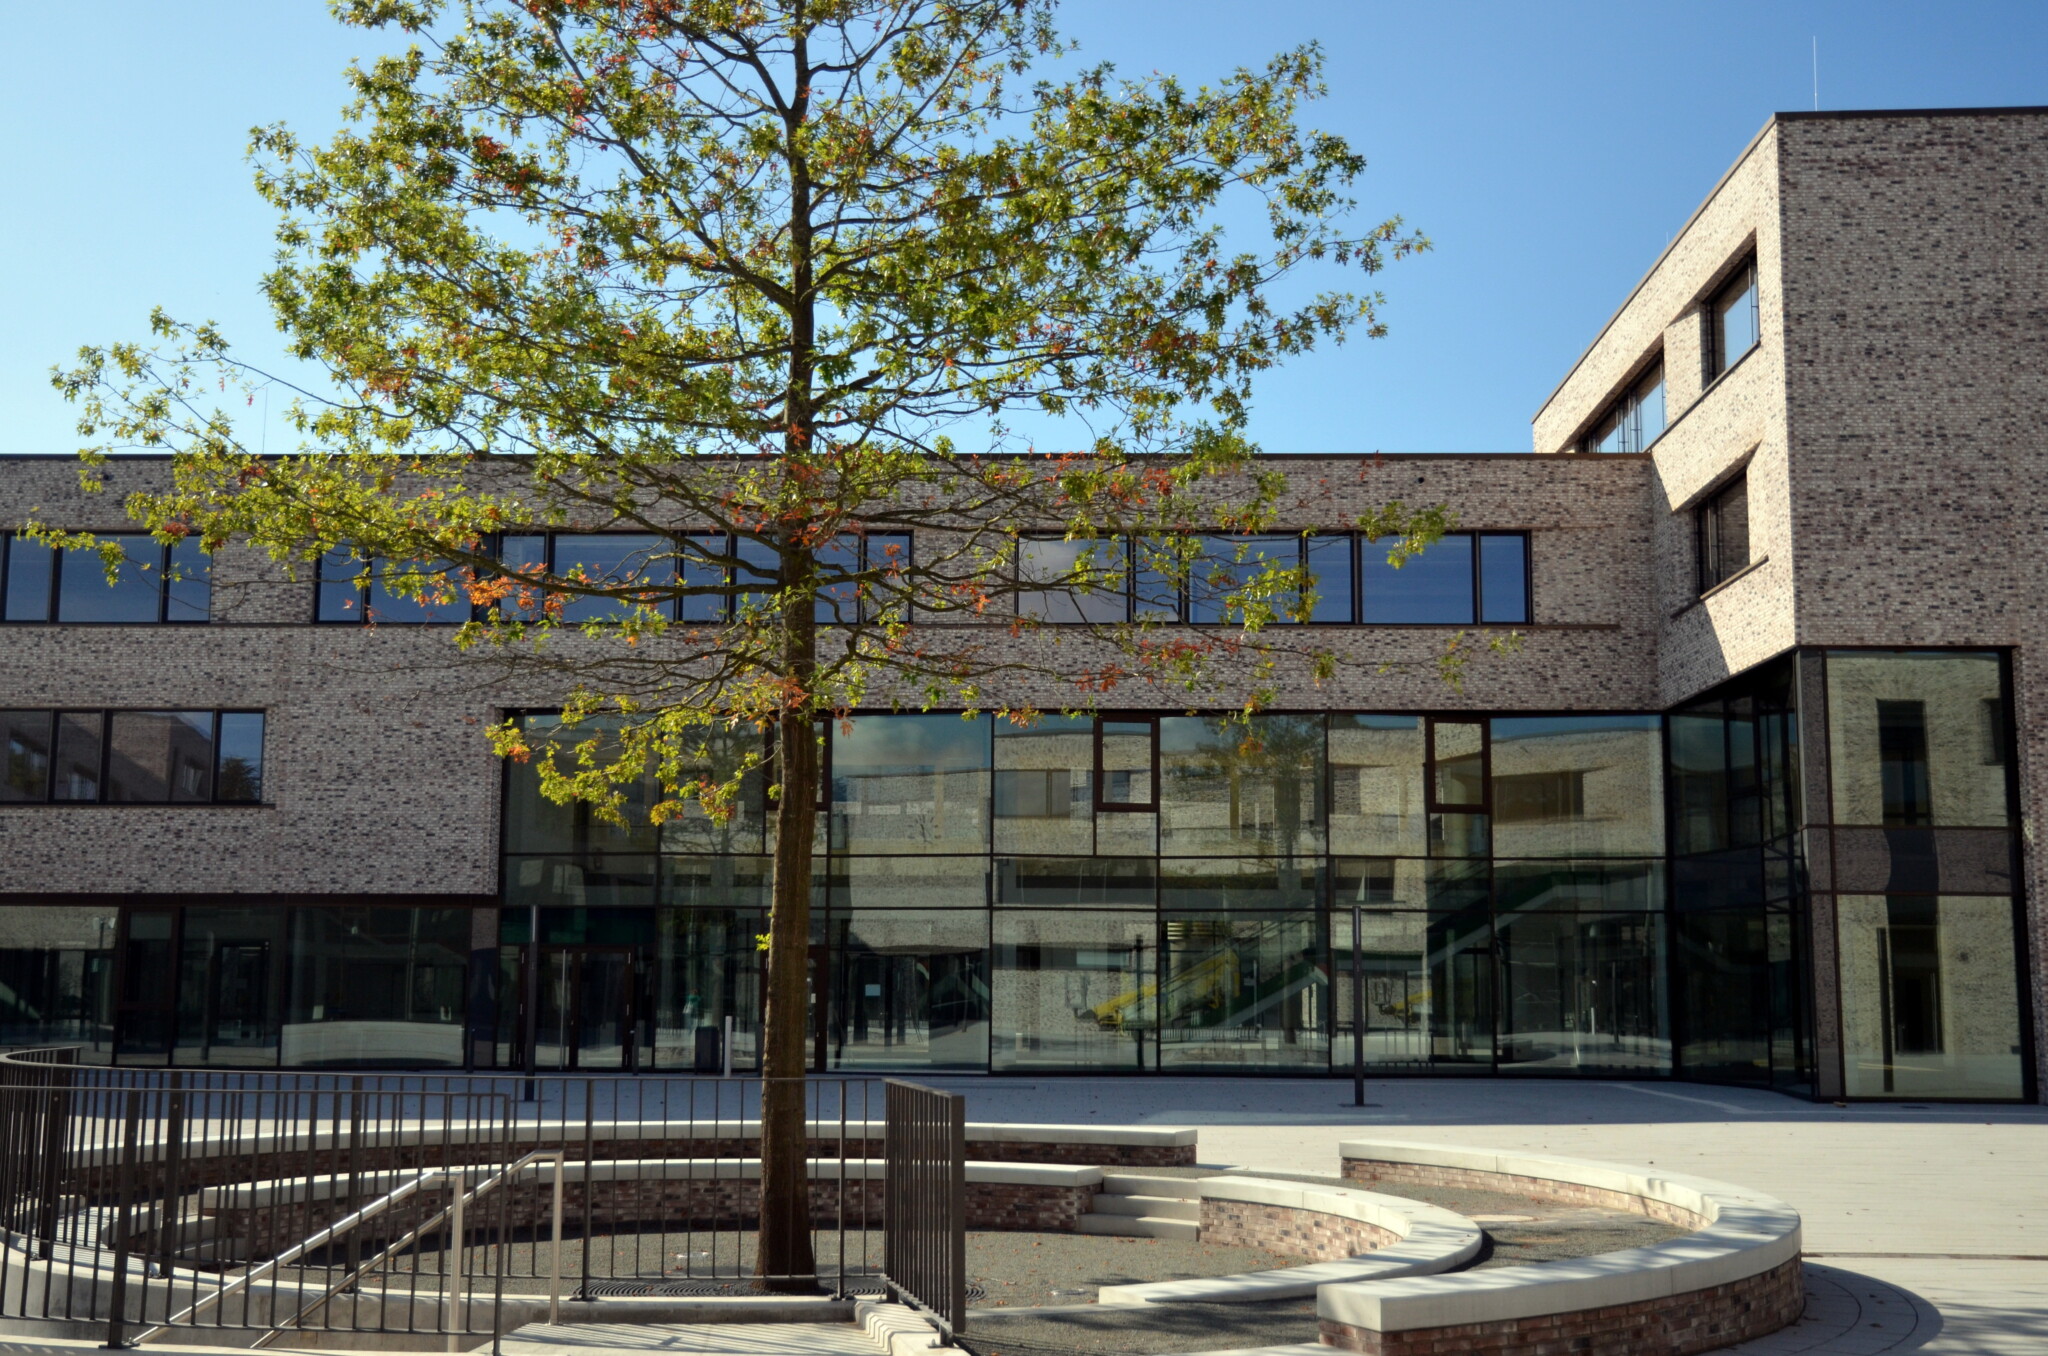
910, 990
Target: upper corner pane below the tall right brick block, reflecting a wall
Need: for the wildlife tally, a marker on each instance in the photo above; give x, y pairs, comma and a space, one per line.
1918, 738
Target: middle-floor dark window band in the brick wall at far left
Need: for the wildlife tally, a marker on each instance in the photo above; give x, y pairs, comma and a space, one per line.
132, 757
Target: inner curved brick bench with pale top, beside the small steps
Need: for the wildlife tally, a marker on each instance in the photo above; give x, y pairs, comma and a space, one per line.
1359, 1236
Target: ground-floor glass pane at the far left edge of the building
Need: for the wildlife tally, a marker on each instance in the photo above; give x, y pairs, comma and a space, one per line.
56, 974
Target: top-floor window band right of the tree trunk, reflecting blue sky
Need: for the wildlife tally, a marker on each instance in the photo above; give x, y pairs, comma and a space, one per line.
1463, 579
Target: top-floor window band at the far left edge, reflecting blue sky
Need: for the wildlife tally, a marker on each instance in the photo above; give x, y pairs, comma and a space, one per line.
155, 585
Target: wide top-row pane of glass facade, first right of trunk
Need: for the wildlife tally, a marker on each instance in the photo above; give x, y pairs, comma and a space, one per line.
910, 783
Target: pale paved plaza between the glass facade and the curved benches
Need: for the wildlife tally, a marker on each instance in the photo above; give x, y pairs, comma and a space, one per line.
1926, 1228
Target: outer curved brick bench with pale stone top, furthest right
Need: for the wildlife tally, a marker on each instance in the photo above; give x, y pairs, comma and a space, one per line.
1736, 1277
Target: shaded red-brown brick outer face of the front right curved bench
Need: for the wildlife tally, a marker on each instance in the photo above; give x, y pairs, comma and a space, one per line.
1670, 1326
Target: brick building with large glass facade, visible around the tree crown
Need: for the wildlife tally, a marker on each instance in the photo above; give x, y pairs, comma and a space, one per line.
1746, 808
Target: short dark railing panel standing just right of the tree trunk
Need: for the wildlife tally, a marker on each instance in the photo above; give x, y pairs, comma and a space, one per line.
925, 1224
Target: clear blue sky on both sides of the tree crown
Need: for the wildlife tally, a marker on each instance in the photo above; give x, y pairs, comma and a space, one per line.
1549, 151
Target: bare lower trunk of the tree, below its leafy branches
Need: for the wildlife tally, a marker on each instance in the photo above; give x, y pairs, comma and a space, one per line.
785, 1212
